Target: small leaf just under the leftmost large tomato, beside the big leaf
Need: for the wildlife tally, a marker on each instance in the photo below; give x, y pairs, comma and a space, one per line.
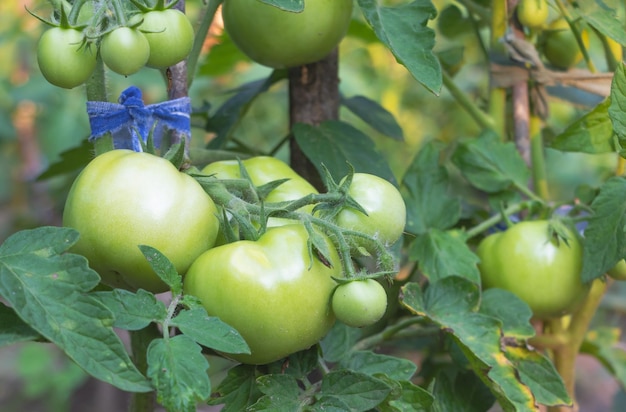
132, 311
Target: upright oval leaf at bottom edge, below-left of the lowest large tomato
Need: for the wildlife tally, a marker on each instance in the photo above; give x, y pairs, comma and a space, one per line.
179, 372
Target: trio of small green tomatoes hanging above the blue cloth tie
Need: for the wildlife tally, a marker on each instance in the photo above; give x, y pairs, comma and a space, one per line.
67, 58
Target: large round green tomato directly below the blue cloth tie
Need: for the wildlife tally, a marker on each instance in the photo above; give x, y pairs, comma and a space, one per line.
123, 199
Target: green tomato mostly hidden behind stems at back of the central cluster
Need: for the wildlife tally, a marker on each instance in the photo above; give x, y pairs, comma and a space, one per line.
262, 170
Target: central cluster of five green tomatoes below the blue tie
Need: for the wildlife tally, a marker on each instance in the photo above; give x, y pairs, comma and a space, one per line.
277, 294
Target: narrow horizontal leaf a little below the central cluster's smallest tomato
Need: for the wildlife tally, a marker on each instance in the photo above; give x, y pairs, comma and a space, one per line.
372, 363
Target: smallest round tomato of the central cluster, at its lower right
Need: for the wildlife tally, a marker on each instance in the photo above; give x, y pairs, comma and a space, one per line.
359, 303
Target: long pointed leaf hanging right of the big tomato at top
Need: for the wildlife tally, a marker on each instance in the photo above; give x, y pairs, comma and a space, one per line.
403, 29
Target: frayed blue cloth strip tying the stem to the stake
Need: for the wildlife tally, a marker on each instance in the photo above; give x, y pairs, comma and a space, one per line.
131, 120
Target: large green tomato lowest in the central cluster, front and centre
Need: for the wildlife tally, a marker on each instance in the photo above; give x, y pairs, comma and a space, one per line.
272, 291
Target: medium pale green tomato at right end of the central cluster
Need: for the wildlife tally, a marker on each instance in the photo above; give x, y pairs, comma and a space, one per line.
386, 211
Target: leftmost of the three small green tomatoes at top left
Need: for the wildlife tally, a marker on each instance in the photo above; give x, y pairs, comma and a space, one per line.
63, 58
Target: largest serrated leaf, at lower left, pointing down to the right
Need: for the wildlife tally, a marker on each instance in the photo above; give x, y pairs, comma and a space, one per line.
47, 287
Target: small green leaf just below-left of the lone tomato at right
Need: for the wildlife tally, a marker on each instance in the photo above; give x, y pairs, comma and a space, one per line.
513, 312
